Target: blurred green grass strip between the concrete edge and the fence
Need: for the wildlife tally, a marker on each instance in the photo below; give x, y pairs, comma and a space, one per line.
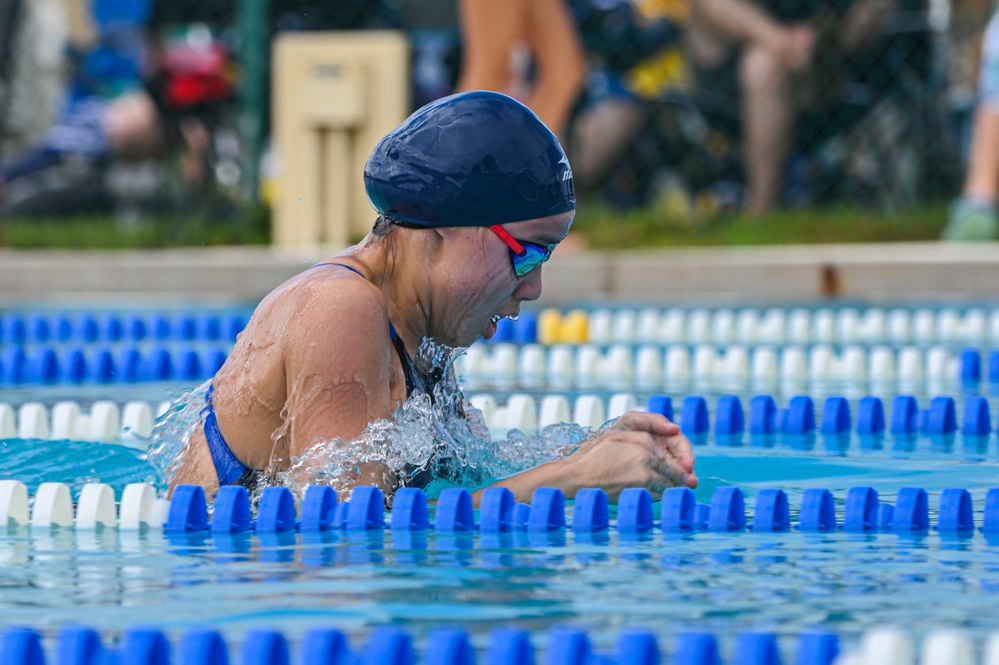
602, 227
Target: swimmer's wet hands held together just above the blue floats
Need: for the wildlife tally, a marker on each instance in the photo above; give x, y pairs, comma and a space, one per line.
639, 450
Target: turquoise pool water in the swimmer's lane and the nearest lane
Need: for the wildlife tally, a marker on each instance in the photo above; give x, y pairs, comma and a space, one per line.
723, 583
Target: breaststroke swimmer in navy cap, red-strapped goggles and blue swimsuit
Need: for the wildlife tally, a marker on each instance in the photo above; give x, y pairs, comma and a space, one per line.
473, 194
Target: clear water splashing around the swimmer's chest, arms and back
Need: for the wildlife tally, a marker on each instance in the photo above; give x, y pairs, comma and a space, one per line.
434, 441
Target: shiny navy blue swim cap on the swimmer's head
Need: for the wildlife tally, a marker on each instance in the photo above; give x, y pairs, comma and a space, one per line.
472, 159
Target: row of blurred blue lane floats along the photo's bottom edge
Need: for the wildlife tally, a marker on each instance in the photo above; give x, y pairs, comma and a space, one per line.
566, 645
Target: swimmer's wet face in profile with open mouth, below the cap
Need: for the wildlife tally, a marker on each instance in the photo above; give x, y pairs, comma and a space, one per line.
477, 278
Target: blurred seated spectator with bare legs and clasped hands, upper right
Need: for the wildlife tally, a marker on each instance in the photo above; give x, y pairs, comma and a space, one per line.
775, 65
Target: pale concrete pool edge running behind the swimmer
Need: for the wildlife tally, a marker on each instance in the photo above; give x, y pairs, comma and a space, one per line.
894, 272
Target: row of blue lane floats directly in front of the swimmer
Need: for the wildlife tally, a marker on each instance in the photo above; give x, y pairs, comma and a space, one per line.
863, 512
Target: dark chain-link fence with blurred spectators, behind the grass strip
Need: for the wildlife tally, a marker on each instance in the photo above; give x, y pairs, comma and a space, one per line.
136, 106
